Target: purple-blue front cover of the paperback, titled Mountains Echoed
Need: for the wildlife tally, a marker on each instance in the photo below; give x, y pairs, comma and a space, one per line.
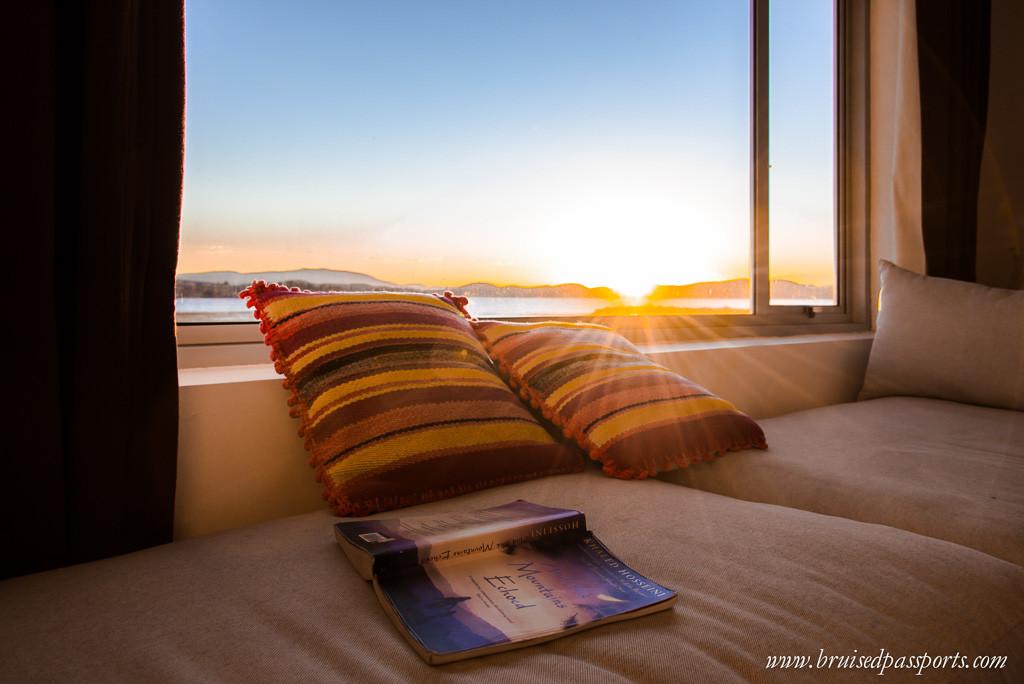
519, 595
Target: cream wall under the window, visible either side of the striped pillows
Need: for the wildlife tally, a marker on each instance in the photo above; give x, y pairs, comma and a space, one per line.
241, 460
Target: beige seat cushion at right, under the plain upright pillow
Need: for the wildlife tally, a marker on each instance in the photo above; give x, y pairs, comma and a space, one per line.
943, 469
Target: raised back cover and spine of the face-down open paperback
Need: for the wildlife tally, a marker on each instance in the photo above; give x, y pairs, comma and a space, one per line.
388, 544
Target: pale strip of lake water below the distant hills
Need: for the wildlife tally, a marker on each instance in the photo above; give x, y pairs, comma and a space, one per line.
231, 310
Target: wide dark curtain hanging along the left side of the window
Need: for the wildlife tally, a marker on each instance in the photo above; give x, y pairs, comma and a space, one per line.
97, 150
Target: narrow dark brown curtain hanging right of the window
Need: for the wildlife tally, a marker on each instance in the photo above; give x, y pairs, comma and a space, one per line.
954, 46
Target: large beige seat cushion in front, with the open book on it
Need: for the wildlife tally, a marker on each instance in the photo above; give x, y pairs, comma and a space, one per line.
280, 603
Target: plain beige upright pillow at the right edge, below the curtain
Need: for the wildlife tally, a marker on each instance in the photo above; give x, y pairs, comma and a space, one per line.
949, 340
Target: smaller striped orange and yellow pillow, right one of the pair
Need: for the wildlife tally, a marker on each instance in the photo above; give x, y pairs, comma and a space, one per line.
634, 416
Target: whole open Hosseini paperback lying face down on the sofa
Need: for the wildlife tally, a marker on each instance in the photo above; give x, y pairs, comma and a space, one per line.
470, 584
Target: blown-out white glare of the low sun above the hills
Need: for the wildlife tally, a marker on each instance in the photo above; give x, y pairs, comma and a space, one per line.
631, 231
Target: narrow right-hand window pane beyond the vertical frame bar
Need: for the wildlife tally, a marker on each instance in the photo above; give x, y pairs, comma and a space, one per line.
802, 152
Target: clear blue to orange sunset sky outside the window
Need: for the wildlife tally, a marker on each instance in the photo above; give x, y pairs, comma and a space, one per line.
511, 142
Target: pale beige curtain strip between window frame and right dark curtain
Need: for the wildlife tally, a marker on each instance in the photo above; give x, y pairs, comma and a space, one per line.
895, 139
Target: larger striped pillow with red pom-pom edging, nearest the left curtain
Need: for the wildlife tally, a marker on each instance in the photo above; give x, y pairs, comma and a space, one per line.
398, 401
